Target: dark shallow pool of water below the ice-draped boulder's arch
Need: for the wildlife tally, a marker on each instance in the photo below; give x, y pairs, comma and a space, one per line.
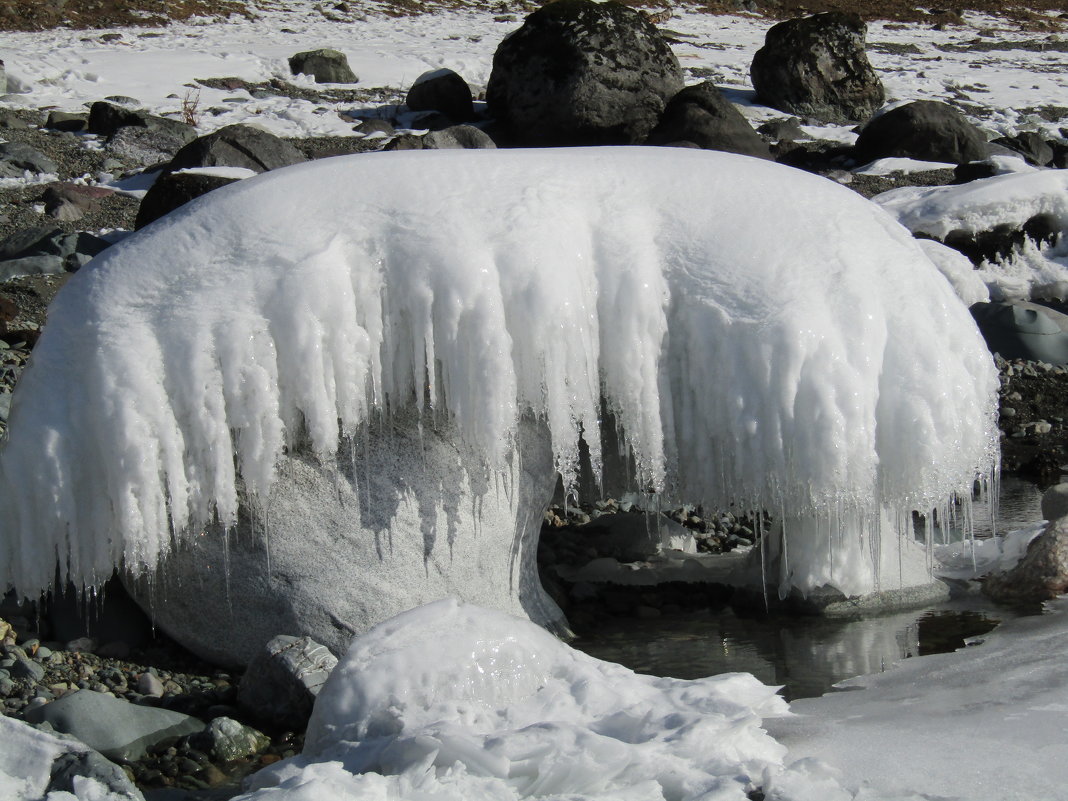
807, 655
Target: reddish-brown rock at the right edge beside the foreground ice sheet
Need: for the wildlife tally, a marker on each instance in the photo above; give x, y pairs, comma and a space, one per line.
1043, 573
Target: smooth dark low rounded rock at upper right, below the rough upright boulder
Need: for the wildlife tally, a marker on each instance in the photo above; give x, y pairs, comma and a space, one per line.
924, 130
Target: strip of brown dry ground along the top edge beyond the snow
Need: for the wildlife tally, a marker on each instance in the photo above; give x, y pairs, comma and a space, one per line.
88, 14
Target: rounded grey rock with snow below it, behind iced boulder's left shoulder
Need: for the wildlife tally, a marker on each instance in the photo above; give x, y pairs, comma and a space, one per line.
238, 146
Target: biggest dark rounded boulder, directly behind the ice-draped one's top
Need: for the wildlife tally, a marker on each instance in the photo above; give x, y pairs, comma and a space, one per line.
583, 73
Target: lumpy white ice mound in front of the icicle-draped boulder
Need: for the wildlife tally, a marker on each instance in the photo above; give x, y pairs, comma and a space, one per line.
453, 701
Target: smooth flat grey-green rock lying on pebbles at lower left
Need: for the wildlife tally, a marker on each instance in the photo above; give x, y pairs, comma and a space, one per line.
119, 730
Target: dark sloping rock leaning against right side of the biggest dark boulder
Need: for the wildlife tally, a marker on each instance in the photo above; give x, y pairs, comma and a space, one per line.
703, 116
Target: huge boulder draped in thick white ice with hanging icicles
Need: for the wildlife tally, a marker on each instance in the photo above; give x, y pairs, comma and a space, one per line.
332, 363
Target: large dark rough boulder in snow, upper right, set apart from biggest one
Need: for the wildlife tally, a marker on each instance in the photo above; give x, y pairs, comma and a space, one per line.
818, 68
